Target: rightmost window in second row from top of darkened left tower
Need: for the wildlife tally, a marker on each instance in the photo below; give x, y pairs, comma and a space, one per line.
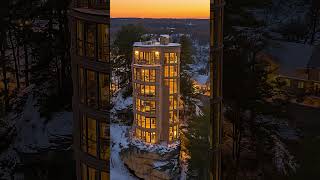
104, 91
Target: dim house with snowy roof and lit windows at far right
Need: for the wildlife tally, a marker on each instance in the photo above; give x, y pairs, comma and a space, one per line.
298, 65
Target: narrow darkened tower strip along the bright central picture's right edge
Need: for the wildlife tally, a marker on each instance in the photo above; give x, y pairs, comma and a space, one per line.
216, 59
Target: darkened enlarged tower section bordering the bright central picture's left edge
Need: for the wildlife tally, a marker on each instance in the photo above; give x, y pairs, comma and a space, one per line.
89, 27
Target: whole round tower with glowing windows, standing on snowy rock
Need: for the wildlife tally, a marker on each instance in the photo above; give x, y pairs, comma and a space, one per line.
156, 87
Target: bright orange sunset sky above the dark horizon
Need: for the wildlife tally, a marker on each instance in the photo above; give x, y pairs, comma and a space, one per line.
198, 9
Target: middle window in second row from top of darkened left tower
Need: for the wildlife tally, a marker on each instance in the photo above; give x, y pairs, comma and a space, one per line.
91, 88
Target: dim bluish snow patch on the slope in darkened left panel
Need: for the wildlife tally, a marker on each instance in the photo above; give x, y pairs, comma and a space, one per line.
34, 133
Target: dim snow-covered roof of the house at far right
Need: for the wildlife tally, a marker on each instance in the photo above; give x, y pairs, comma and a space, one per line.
290, 56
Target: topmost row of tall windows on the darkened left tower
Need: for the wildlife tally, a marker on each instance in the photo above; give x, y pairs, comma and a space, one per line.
93, 41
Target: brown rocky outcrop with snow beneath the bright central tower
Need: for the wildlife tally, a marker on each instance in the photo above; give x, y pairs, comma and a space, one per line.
152, 165
